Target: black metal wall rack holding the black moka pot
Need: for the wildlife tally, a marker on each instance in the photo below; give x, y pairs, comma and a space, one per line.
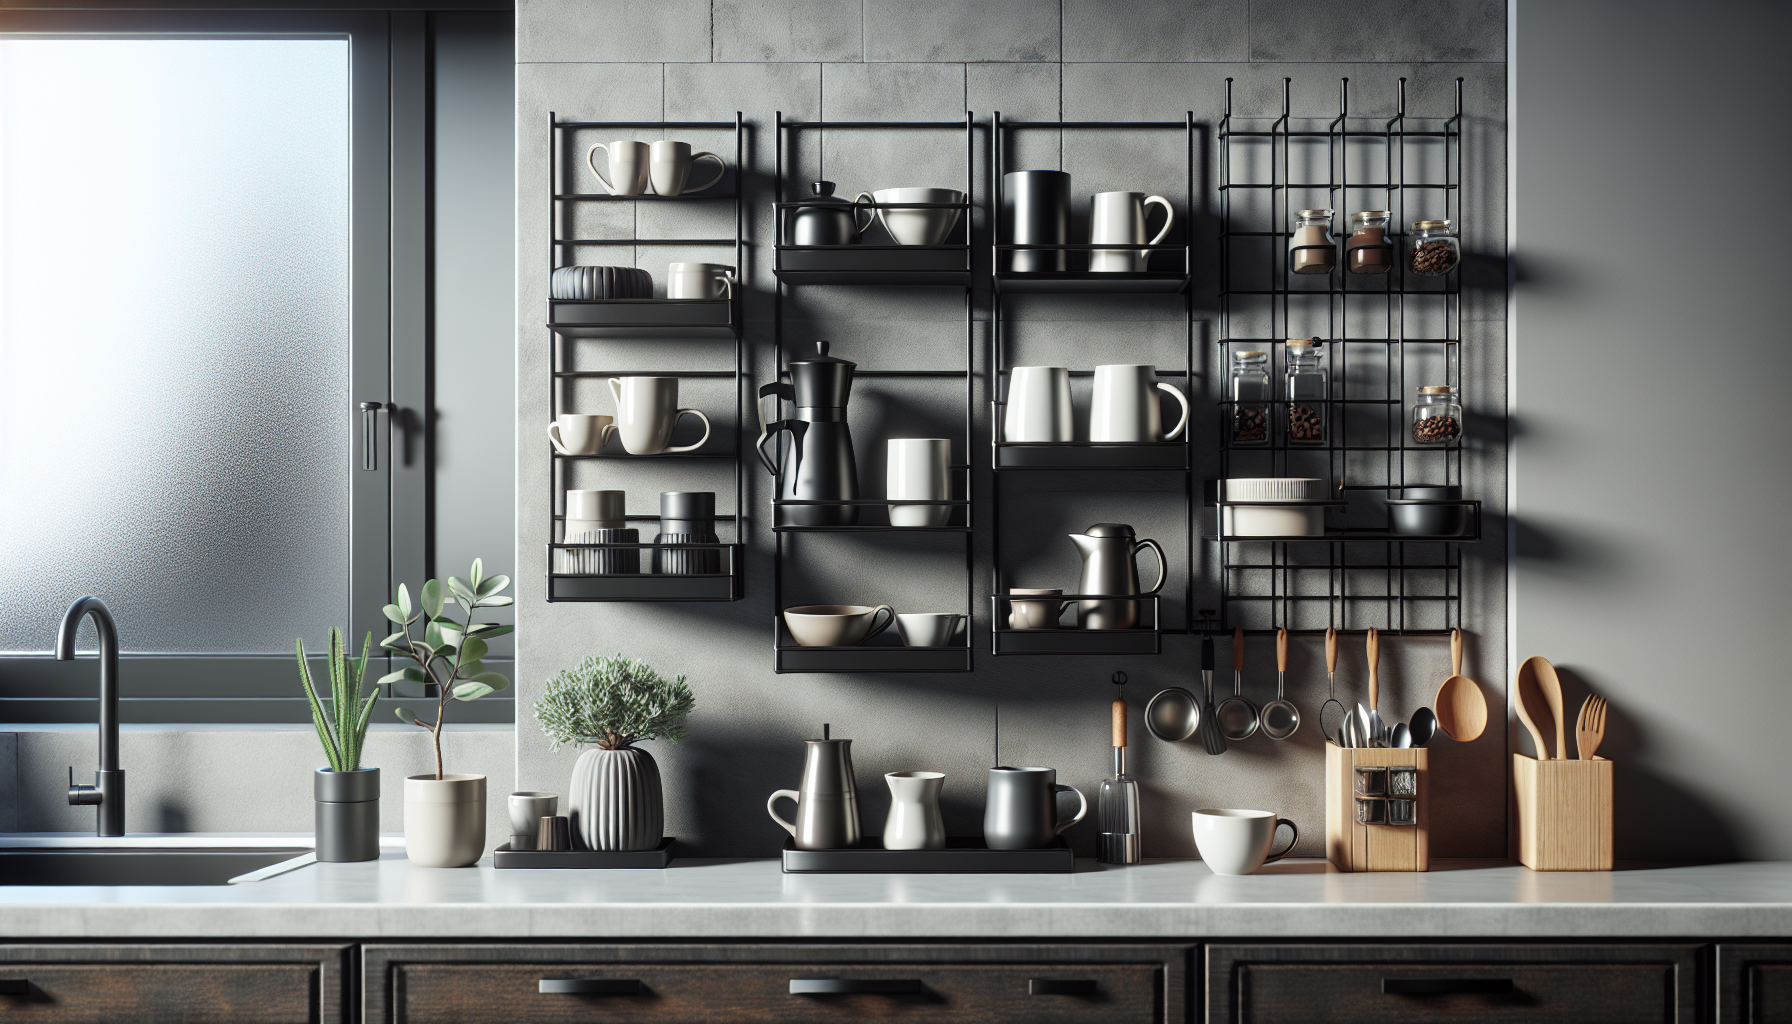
886, 266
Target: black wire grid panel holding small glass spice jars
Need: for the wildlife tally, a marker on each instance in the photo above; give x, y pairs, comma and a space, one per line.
1357, 577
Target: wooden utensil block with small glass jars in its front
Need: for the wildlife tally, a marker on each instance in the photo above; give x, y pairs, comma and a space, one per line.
1354, 846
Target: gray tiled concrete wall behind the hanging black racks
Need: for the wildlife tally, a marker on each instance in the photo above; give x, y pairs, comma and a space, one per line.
884, 60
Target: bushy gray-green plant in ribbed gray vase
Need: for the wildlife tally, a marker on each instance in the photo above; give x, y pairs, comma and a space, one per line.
610, 706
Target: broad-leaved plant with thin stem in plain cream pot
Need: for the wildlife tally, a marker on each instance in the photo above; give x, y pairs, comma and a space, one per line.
445, 815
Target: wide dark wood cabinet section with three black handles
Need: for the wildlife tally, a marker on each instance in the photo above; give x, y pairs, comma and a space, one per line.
777, 984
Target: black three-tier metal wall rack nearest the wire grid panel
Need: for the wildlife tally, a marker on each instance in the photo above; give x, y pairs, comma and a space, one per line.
1087, 456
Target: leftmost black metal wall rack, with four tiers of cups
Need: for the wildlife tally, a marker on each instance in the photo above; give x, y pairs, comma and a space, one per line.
639, 320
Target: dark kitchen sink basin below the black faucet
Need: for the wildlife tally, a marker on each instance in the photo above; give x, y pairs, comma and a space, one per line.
211, 867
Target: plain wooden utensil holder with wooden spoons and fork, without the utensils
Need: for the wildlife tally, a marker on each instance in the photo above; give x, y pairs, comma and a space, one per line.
1564, 813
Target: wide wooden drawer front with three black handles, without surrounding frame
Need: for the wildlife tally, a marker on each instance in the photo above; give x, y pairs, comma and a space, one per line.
788, 994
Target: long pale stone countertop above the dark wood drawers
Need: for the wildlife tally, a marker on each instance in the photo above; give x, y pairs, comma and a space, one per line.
754, 899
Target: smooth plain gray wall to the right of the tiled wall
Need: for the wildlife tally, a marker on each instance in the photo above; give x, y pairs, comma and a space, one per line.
1648, 456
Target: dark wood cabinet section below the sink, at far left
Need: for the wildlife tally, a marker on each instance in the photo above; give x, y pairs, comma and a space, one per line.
175, 984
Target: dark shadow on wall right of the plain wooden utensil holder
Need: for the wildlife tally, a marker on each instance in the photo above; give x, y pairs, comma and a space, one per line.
1653, 819
